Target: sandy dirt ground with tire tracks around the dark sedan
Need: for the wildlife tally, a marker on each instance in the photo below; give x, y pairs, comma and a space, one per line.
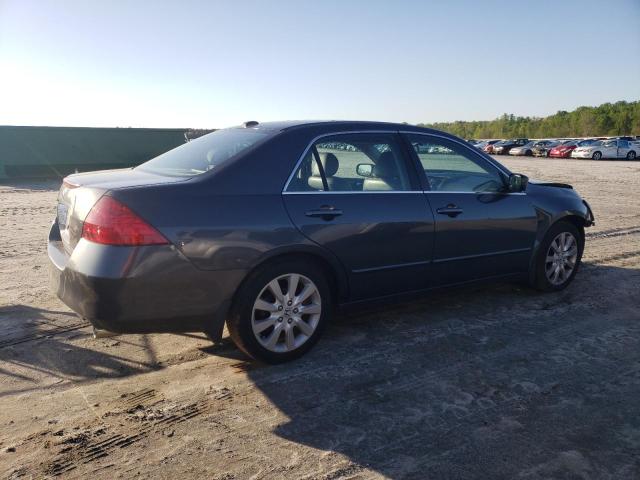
487, 382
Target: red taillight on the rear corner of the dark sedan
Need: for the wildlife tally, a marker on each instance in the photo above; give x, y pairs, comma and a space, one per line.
113, 223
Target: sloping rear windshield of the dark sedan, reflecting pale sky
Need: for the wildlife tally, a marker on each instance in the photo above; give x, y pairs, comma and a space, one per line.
203, 154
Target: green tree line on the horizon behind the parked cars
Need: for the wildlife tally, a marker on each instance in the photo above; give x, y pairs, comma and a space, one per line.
608, 119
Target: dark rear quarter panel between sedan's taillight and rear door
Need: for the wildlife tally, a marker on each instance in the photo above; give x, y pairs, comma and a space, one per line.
235, 218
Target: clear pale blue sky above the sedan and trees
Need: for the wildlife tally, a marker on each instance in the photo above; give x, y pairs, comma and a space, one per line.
218, 63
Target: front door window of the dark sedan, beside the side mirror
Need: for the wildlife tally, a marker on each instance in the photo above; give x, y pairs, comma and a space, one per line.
450, 167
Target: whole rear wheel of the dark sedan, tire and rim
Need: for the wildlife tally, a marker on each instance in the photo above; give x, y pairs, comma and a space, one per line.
280, 311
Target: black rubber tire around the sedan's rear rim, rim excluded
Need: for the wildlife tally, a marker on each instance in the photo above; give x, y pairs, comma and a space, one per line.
239, 321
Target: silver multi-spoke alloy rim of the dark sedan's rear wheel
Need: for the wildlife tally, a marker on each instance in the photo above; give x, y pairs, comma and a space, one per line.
286, 313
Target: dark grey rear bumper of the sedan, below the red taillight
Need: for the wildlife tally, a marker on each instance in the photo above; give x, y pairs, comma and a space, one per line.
140, 289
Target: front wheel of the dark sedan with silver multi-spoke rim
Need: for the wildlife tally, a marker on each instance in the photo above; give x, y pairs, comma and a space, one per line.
559, 257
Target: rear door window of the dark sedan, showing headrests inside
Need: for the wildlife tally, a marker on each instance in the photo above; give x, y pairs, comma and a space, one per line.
364, 162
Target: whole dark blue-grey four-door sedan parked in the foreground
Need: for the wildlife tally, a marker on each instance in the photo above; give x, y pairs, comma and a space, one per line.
272, 228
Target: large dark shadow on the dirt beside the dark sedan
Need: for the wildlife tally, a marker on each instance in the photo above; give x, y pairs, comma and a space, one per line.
479, 383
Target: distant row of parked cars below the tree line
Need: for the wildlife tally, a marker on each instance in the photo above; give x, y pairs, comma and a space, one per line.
595, 148
